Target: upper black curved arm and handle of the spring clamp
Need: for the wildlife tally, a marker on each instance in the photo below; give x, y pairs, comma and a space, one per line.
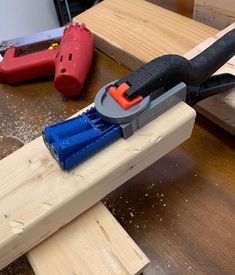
166, 71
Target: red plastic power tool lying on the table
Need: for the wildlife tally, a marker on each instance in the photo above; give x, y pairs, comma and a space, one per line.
70, 62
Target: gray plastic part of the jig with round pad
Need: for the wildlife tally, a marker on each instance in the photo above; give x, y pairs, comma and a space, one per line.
139, 115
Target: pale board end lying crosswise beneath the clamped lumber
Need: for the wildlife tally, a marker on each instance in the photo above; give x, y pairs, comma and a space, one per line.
92, 244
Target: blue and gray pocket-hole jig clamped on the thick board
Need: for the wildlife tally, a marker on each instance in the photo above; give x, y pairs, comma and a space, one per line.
75, 140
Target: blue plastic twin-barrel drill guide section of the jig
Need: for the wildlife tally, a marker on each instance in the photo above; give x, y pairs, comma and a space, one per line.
74, 140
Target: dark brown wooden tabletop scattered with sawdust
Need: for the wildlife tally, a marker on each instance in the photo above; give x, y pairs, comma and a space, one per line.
180, 210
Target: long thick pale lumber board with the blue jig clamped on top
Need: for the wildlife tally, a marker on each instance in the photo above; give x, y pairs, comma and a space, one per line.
37, 197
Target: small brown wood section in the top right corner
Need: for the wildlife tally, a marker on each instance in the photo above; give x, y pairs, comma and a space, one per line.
215, 13
